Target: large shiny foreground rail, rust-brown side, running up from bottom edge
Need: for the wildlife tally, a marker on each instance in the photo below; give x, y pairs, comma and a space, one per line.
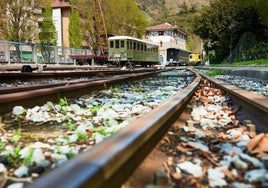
111, 162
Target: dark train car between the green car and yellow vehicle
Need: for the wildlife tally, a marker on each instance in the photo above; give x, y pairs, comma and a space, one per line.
177, 57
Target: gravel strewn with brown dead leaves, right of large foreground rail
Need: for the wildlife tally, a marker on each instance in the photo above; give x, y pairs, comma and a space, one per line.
214, 143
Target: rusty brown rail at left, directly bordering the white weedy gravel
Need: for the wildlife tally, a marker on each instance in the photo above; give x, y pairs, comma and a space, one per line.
35, 97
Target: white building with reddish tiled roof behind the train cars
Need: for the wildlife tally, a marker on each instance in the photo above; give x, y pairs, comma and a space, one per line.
166, 36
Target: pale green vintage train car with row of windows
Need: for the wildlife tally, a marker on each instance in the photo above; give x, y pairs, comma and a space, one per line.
124, 50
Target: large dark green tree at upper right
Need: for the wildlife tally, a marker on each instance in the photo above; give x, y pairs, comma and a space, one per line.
223, 24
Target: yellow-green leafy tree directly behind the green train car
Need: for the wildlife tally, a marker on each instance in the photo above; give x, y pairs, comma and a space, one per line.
122, 17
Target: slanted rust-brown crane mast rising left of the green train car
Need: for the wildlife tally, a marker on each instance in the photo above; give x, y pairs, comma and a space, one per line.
100, 28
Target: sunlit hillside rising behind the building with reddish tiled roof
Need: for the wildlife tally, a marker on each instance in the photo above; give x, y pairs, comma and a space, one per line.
175, 12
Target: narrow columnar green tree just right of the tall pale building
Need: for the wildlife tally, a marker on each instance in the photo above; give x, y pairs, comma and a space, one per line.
75, 36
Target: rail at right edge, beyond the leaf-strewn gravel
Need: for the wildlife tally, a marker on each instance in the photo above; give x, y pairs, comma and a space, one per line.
255, 105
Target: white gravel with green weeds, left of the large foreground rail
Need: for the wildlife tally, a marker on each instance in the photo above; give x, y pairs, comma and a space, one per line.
76, 127
